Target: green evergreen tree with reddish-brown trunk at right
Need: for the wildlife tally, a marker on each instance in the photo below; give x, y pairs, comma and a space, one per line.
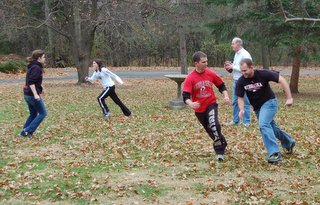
262, 21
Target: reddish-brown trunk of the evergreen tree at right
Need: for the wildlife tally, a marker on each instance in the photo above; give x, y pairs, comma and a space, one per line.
295, 69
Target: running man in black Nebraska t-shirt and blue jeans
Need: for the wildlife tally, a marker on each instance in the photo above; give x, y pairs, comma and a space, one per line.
255, 83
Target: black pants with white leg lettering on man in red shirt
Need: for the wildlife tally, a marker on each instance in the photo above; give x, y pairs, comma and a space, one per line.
210, 122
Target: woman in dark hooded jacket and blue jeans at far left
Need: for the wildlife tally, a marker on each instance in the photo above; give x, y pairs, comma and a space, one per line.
33, 92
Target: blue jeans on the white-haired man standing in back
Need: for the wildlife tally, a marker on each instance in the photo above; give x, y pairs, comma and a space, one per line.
235, 108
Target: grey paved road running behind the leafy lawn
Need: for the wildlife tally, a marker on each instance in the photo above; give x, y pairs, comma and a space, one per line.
148, 74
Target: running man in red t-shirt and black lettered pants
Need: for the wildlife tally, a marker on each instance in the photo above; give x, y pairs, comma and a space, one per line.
198, 94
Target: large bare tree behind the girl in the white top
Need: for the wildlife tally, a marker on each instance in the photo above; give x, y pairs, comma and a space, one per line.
75, 20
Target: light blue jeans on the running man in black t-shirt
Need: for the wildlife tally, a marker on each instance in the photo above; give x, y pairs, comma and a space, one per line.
269, 129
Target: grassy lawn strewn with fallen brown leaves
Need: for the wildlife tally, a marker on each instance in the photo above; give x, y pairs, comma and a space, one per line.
157, 156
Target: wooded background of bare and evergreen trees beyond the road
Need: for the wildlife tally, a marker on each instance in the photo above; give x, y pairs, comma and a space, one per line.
162, 32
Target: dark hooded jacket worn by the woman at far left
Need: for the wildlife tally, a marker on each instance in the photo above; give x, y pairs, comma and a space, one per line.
34, 77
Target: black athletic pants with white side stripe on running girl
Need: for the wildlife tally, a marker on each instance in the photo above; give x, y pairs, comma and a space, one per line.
110, 91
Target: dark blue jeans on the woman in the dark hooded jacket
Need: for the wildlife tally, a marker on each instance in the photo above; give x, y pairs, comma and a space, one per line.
37, 111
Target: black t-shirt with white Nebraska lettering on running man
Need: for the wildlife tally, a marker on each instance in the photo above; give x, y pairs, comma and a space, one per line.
257, 88
